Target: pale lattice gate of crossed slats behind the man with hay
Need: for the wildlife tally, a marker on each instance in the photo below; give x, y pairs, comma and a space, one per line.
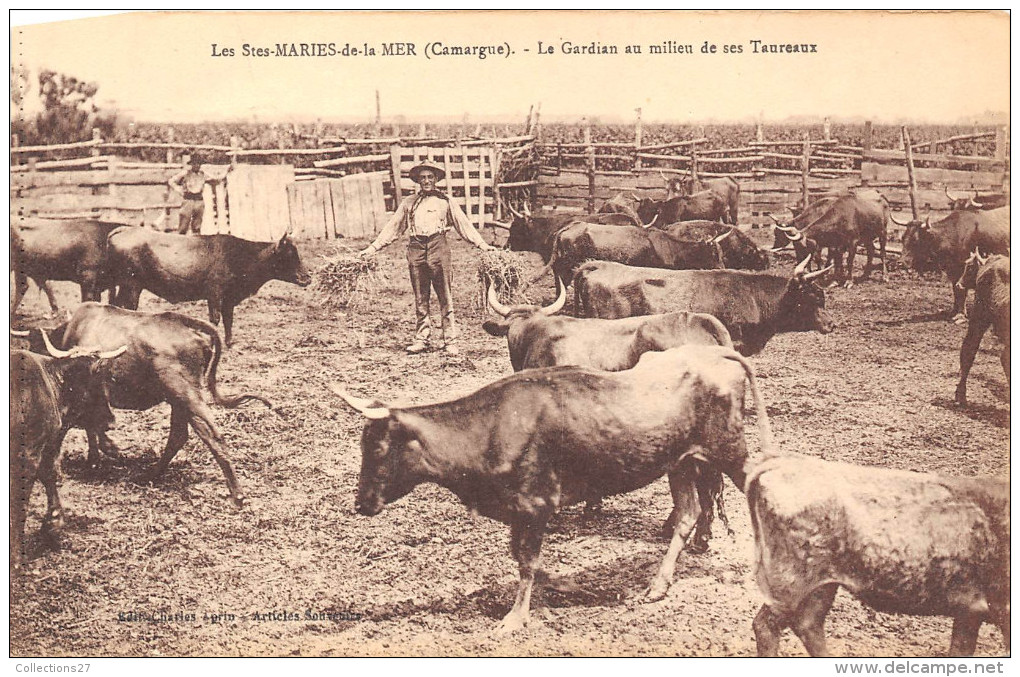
471, 173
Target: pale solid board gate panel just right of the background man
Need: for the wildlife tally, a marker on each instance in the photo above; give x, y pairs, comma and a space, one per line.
258, 203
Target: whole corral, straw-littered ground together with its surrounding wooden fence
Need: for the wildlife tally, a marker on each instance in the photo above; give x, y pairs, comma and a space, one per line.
426, 577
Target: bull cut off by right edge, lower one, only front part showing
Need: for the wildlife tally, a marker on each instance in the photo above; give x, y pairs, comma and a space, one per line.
991, 281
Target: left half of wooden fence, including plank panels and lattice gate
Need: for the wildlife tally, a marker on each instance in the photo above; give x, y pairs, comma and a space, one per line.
334, 198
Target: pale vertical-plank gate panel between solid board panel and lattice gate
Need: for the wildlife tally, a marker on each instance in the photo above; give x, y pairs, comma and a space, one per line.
350, 207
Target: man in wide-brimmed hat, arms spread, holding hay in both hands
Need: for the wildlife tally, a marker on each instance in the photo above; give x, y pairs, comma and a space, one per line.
427, 217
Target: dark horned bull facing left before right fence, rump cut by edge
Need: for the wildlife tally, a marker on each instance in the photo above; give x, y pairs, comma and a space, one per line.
947, 244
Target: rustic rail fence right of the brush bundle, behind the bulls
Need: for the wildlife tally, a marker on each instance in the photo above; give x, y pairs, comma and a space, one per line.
775, 176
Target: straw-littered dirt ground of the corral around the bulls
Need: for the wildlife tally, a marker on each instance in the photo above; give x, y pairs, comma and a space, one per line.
426, 578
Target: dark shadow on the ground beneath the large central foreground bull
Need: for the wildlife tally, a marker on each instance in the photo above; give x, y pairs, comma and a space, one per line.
622, 583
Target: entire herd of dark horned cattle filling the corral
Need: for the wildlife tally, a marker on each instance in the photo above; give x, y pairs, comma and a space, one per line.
648, 380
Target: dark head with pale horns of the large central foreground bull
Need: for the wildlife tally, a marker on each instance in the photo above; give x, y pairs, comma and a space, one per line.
391, 454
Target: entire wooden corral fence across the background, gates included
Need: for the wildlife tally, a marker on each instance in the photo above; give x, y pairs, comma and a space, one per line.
326, 186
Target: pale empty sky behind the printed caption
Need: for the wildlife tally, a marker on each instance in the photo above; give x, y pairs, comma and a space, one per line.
878, 66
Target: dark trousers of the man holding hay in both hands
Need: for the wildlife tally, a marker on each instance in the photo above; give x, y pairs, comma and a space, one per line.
430, 265
